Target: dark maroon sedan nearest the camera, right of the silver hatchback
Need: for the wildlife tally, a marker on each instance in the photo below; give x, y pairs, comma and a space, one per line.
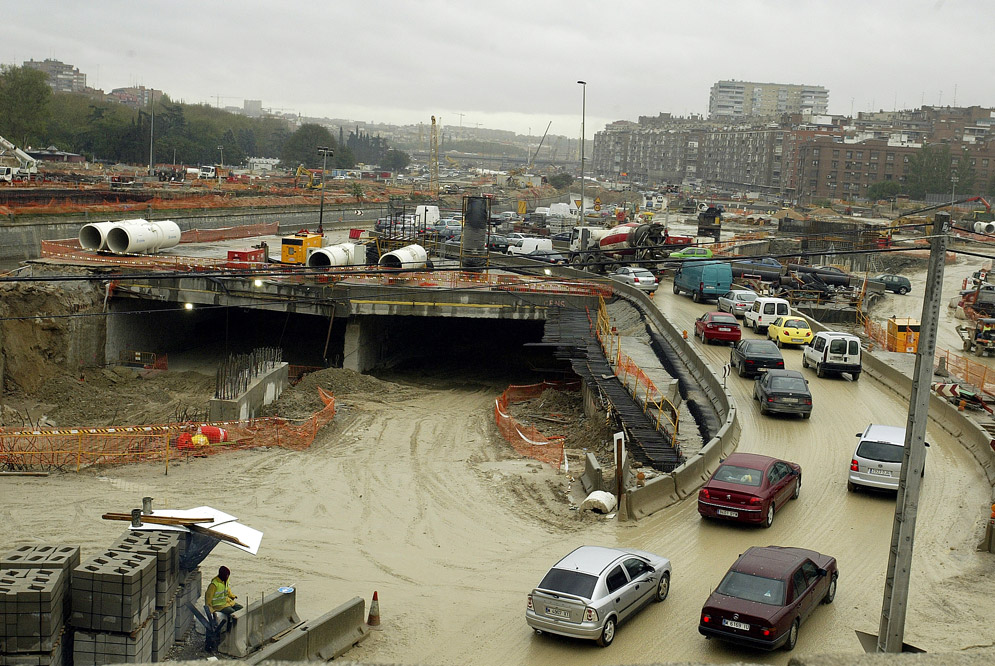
767, 594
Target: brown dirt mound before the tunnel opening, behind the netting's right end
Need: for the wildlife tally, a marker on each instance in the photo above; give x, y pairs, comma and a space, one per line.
302, 400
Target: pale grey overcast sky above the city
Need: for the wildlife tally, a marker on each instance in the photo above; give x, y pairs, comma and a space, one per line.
514, 65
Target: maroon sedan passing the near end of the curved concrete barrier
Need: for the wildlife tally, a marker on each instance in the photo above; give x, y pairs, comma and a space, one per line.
749, 488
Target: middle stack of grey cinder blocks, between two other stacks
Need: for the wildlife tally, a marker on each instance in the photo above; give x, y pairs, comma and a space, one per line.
113, 600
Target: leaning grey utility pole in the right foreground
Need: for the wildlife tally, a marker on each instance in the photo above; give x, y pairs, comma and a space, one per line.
891, 633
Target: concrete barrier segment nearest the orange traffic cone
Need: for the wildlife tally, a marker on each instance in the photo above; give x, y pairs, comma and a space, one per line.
330, 636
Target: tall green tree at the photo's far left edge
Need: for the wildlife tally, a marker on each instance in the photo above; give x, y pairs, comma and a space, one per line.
24, 98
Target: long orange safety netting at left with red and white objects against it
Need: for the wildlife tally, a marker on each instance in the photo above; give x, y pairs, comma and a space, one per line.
75, 448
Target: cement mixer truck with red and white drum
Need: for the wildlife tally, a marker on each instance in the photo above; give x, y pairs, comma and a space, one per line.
600, 250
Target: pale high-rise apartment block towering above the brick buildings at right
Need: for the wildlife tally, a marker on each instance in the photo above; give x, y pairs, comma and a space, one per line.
746, 99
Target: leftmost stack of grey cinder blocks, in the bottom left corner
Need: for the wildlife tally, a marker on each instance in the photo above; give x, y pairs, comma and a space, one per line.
34, 605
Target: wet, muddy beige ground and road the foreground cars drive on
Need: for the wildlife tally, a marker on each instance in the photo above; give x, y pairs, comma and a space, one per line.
419, 499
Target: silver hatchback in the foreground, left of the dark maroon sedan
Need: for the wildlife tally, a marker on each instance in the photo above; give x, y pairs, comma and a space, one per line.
593, 589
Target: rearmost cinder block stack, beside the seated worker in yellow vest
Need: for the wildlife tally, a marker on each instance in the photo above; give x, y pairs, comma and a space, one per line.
165, 547
